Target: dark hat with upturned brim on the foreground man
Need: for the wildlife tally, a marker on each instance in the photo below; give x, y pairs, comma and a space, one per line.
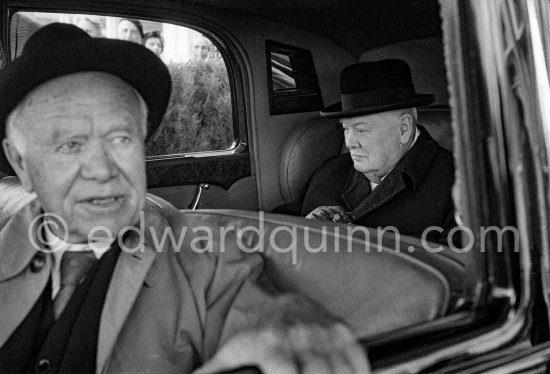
59, 49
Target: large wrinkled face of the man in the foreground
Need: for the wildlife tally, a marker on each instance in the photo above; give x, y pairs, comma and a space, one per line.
84, 153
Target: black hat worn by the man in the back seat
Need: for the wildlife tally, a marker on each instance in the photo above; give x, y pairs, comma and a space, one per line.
374, 87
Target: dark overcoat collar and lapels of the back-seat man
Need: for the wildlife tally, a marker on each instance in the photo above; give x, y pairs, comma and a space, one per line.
407, 174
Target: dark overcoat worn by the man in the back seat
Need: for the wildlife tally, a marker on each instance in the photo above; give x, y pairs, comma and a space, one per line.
415, 195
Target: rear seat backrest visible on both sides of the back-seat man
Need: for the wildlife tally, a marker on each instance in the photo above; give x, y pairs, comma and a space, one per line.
313, 142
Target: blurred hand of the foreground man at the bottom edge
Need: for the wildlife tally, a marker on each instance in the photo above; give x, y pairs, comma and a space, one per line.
302, 348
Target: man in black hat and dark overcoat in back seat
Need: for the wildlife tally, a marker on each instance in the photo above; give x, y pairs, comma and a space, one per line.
395, 174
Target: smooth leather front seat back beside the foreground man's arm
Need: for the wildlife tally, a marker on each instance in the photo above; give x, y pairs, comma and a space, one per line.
375, 285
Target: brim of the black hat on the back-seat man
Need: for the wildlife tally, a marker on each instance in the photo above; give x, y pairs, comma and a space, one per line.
335, 110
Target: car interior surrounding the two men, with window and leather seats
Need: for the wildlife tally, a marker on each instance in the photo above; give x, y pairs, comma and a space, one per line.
242, 137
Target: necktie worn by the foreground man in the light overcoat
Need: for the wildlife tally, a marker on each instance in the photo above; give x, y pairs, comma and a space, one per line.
74, 265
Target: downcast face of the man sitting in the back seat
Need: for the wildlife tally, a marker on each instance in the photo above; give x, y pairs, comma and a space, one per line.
374, 142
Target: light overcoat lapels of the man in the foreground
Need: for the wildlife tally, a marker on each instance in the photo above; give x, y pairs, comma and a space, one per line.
133, 270
